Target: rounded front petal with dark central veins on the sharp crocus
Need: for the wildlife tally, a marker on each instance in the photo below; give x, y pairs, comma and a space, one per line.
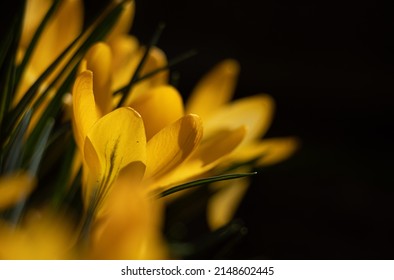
115, 141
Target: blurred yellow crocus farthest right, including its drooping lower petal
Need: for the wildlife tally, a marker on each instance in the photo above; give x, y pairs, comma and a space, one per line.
211, 99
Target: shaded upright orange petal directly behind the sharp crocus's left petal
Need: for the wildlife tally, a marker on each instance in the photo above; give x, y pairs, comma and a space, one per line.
99, 60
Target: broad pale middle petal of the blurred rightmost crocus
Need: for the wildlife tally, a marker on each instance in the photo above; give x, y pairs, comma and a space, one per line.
254, 112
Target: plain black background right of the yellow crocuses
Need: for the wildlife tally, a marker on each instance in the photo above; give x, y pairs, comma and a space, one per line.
329, 66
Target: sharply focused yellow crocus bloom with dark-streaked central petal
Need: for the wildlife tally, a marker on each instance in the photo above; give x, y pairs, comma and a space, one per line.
111, 142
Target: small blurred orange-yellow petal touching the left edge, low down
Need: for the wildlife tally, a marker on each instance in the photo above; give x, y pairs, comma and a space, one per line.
14, 188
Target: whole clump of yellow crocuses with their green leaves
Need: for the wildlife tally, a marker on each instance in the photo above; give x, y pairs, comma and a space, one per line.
96, 144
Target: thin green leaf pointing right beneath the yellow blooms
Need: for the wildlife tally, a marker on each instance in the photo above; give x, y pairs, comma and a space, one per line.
204, 181
